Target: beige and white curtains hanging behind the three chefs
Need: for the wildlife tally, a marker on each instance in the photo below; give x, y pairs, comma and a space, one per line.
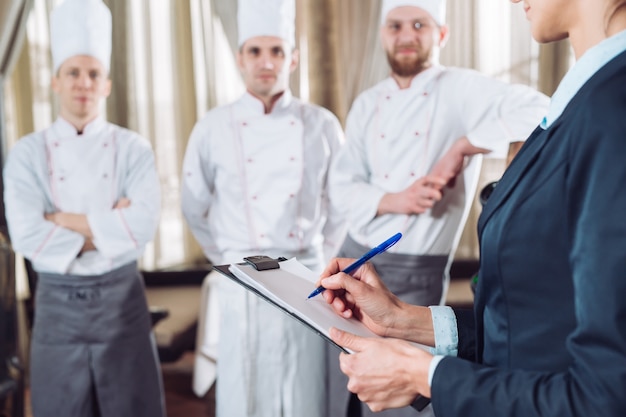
175, 59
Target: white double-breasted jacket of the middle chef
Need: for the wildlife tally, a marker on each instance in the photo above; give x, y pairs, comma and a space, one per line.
258, 182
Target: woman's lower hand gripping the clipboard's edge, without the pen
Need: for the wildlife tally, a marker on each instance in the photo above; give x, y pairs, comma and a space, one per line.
384, 373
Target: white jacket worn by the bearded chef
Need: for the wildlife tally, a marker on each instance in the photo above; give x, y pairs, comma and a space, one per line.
395, 136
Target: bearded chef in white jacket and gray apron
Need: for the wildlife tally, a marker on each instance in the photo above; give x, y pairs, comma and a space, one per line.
407, 139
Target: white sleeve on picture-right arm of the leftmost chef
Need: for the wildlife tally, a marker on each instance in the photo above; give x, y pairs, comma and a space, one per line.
120, 231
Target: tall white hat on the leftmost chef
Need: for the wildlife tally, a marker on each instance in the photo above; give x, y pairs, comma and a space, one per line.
80, 27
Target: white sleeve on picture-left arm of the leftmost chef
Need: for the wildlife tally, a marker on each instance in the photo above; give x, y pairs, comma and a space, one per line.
51, 247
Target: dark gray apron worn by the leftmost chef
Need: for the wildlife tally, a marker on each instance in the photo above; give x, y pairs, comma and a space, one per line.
92, 351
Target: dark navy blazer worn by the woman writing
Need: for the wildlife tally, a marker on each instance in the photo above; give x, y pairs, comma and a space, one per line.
548, 333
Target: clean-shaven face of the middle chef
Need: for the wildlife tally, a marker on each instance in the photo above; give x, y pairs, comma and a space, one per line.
265, 63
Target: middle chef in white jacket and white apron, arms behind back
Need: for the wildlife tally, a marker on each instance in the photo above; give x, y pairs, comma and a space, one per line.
255, 183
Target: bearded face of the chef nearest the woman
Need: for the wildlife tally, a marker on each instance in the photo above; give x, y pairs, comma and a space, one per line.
412, 39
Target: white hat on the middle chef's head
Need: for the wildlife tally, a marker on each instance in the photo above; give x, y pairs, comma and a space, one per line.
266, 18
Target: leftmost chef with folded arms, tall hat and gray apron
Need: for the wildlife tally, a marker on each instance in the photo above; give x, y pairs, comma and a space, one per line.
82, 200
